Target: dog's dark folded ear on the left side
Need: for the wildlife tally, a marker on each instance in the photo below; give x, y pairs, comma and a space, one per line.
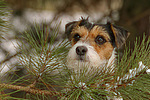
69, 27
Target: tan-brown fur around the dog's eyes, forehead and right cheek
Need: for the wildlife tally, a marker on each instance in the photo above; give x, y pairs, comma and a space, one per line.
105, 50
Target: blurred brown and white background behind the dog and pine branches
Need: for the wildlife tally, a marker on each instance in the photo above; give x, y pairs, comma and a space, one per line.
133, 15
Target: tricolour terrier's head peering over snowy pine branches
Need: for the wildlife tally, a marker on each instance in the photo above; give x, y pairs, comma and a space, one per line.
93, 44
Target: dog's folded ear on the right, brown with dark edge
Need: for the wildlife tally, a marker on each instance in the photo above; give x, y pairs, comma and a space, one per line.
120, 34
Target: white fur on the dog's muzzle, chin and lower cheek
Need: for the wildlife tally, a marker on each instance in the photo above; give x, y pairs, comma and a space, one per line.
91, 58
